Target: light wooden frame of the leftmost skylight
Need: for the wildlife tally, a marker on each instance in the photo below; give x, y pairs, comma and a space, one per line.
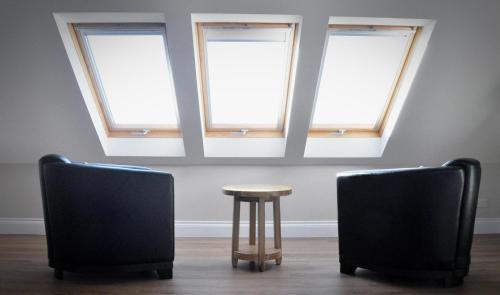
92, 80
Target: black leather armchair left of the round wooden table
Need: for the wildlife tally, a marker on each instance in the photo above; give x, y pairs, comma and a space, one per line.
107, 218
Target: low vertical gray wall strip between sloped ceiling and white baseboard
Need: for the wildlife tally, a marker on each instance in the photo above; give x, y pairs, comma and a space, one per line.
198, 194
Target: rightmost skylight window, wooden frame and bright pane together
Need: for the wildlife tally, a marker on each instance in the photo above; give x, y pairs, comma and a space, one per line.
361, 70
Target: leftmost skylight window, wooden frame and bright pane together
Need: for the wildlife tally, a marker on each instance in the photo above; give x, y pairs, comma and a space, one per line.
128, 67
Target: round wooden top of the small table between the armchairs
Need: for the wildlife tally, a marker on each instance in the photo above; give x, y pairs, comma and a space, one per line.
257, 190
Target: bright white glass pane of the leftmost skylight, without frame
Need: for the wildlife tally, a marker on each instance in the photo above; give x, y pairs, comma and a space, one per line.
135, 79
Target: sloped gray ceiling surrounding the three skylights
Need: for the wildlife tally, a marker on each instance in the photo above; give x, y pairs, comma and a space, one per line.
453, 109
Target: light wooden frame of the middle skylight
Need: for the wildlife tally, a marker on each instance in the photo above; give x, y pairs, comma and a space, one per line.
250, 132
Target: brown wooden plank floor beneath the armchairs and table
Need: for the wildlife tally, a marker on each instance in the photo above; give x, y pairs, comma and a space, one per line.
203, 266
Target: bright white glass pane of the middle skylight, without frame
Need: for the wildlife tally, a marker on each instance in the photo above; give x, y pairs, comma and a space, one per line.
246, 82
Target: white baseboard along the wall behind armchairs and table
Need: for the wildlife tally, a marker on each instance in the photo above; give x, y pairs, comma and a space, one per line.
289, 229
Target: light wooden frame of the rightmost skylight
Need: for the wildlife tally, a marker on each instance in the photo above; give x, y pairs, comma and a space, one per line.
378, 130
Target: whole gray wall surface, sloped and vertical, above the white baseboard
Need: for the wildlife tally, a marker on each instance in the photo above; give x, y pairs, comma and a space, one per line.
453, 109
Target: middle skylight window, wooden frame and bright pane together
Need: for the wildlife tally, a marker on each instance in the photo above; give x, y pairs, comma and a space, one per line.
245, 77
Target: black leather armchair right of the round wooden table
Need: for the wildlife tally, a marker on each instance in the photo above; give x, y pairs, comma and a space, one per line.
416, 222
